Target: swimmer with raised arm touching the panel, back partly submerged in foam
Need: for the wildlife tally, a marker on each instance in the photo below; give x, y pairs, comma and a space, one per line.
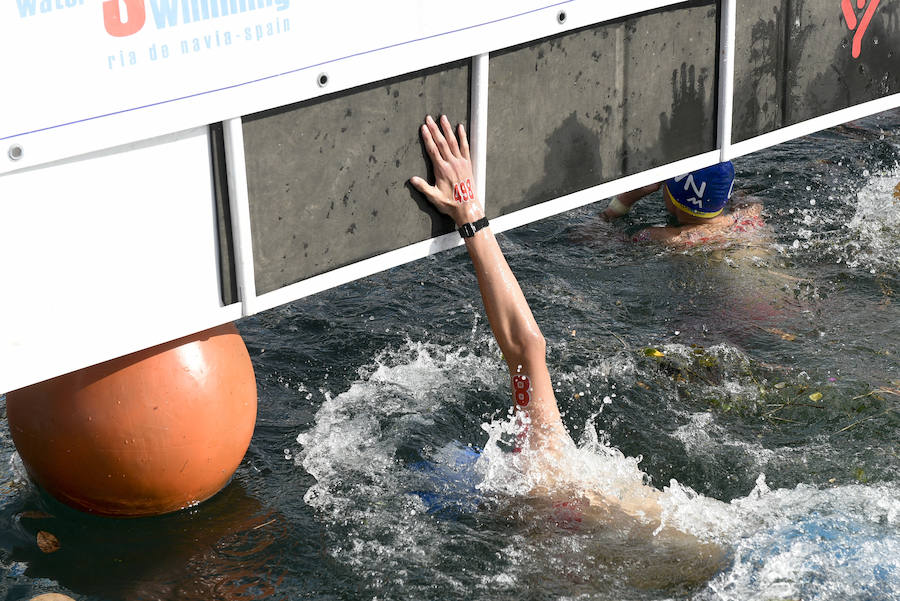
552, 456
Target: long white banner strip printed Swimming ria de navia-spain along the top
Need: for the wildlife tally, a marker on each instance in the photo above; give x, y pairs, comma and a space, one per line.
82, 75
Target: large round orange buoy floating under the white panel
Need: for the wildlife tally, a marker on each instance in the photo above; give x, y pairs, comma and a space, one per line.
145, 434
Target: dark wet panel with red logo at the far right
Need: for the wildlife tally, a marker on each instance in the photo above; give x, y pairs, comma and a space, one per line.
794, 62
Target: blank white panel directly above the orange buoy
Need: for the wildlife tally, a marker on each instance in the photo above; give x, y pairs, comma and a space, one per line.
107, 254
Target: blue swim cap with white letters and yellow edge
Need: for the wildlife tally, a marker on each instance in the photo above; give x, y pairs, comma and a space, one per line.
702, 193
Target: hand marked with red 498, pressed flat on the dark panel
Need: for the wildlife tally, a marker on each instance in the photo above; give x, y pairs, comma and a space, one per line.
453, 192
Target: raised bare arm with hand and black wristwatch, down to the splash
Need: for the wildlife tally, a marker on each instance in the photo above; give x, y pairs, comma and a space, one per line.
511, 320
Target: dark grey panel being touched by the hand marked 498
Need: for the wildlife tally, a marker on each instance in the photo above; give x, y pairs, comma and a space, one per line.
328, 179
